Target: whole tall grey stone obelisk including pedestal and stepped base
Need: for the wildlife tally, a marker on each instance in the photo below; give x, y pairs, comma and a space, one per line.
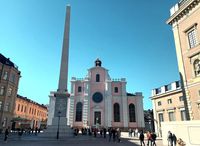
58, 104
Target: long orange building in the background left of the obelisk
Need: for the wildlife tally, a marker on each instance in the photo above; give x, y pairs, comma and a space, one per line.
29, 114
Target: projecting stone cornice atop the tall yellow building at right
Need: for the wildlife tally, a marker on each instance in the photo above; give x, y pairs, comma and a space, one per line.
182, 11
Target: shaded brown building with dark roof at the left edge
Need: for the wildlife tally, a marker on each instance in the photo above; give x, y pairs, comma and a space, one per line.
9, 79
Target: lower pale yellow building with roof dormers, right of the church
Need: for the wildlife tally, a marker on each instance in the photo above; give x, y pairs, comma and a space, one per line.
168, 104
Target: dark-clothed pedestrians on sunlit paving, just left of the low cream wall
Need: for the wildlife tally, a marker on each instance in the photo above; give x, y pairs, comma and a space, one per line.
151, 138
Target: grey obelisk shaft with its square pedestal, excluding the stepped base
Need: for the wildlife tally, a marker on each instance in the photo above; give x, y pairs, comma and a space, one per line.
62, 92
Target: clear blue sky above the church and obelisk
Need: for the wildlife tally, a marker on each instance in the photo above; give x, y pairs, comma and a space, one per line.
131, 38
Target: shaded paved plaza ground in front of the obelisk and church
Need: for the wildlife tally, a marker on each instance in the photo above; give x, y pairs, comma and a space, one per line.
80, 140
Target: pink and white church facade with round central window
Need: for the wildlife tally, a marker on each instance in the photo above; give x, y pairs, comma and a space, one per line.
99, 101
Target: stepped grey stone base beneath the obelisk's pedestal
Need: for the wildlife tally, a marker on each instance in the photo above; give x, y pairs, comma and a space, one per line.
52, 130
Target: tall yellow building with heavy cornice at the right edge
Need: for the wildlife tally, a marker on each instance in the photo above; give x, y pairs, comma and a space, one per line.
185, 22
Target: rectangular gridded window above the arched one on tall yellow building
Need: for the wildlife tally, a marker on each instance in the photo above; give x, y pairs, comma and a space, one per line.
192, 37
